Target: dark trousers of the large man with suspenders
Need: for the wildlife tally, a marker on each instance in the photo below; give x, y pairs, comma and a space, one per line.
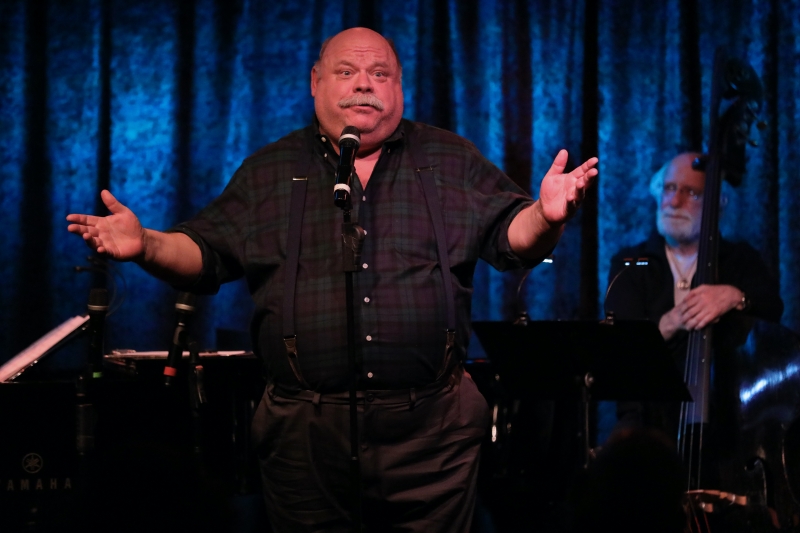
419, 457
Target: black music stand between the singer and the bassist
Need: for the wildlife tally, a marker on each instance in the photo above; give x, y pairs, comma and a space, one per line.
587, 360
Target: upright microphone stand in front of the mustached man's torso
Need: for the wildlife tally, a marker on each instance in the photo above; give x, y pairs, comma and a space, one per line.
352, 243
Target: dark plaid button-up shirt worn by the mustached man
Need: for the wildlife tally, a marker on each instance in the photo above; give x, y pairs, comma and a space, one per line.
400, 313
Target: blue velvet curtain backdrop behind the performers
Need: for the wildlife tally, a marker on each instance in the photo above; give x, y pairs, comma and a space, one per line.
160, 100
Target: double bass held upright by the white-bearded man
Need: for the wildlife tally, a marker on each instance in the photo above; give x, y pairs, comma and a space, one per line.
735, 489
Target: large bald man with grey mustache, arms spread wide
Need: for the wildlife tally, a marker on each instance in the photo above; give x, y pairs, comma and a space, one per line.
421, 417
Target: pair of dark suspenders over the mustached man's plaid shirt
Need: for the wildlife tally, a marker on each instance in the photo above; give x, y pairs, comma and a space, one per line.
297, 207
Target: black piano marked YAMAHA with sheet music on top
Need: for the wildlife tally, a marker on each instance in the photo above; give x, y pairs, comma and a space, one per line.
125, 452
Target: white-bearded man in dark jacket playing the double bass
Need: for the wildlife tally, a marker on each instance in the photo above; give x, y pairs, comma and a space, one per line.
661, 292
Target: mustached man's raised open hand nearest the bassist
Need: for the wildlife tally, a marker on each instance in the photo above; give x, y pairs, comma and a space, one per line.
561, 194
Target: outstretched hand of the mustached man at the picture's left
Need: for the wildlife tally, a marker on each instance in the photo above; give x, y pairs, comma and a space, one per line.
119, 235
